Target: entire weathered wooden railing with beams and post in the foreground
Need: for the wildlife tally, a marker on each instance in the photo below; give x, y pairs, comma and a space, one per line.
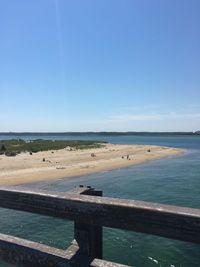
90, 212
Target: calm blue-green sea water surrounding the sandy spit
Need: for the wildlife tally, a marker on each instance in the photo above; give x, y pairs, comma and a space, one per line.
175, 180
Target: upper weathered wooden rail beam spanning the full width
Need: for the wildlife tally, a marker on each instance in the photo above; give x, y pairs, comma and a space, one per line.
158, 219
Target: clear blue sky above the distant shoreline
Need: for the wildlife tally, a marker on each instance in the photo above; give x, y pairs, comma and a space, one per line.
99, 65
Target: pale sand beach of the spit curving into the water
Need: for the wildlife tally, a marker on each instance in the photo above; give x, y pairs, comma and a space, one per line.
26, 168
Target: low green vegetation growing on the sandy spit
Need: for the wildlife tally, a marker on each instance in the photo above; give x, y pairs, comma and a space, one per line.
13, 147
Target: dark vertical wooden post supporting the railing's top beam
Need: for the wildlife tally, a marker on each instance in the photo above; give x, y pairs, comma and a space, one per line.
87, 236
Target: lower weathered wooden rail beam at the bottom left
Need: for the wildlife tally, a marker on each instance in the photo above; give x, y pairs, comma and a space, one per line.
23, 253
